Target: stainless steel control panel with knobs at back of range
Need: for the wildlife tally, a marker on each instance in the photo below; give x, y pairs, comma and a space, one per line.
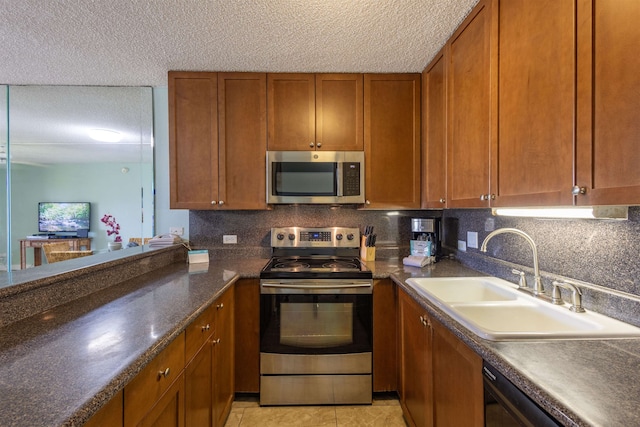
303, 237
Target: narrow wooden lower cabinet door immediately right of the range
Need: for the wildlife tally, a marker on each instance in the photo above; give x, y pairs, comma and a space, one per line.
385, 360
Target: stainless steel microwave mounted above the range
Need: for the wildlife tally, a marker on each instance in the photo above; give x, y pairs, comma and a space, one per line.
315, 177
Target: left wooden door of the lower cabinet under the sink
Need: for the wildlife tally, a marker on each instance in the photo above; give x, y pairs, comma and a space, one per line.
416, 394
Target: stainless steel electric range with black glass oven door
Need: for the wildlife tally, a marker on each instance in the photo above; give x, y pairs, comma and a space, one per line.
316, 319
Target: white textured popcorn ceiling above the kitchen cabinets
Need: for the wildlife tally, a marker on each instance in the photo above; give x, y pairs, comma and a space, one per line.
135, 42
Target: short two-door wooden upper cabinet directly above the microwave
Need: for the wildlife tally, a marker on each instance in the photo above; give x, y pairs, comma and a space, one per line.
315, 112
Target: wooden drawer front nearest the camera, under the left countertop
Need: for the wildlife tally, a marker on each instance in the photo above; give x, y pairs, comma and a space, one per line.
148, 386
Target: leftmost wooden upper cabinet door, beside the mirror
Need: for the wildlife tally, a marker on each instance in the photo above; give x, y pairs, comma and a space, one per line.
193, 140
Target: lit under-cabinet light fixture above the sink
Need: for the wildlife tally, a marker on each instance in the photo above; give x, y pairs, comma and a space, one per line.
586, 212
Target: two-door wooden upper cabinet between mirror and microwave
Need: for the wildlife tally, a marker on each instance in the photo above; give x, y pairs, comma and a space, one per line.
217, 140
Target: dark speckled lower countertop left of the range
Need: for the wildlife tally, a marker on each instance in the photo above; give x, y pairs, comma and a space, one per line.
60, 366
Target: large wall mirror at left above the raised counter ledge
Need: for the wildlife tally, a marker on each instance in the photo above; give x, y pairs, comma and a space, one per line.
66, 144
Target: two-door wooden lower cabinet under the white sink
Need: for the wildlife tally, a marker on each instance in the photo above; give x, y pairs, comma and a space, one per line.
440, 377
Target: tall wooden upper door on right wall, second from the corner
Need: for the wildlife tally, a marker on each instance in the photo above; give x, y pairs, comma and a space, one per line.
469, 110
